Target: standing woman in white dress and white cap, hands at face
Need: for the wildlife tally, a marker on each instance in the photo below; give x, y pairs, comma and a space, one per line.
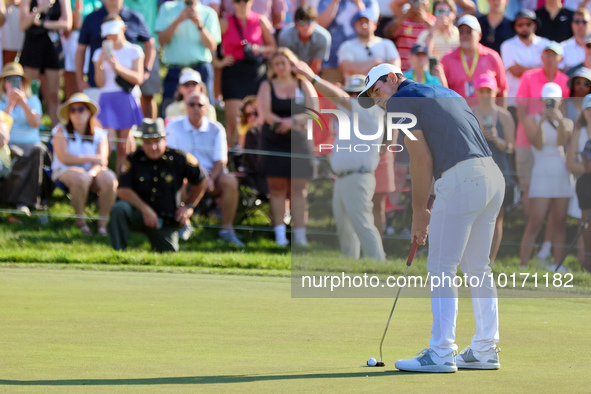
551, 184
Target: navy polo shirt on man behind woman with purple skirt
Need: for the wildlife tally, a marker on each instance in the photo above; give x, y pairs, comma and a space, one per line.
90, 33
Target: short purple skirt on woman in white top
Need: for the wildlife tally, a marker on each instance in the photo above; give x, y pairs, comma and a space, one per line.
119, 110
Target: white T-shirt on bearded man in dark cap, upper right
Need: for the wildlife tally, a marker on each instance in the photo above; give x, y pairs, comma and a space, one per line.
514, 51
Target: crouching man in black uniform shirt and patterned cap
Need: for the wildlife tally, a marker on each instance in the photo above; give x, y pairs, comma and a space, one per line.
148, 185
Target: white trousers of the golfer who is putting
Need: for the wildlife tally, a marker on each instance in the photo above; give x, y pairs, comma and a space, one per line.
469, 197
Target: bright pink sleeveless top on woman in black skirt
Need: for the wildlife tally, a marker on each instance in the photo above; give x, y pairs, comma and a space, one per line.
252, 33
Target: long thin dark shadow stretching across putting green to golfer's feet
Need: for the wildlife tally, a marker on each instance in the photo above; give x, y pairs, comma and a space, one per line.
220, 379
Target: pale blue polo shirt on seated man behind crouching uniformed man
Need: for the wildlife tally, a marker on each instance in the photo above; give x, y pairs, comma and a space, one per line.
207, 143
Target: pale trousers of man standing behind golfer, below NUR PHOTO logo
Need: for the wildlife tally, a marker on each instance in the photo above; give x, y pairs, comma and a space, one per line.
353, 213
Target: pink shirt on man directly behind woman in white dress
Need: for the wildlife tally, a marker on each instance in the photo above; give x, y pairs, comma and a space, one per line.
530, 89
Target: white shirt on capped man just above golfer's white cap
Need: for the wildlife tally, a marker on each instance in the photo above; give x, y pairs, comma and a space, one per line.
356, 51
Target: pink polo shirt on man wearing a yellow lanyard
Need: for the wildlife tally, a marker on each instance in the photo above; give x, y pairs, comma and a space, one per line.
489, 61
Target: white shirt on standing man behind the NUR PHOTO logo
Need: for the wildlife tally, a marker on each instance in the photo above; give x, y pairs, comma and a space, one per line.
345, 159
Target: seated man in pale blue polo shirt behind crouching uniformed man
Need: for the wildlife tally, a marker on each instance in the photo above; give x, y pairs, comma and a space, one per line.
206, 140
